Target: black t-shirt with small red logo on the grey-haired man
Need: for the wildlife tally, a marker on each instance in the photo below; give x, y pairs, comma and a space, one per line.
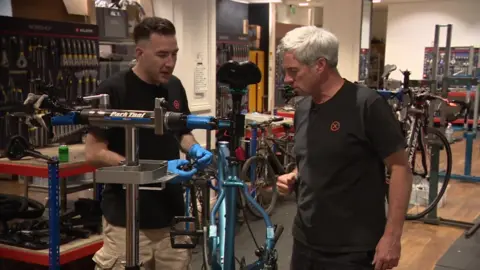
340, 146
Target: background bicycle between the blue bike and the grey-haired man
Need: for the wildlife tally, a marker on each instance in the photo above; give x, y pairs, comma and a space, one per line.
263, 166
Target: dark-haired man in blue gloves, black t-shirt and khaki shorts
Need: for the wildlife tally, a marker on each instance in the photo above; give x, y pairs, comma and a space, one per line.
136, 89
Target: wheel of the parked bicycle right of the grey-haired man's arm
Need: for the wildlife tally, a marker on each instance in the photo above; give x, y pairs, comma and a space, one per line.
421, 174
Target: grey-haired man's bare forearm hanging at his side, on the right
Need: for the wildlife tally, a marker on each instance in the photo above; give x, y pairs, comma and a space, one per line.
398, 199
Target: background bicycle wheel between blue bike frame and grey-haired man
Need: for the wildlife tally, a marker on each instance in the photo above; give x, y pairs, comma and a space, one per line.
264, 189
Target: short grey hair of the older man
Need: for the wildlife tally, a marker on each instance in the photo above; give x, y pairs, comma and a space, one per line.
309, 43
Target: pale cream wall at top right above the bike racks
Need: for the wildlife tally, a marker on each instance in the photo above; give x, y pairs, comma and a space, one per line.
411, 28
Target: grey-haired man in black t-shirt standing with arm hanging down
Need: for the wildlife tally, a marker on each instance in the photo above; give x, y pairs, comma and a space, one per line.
345, 133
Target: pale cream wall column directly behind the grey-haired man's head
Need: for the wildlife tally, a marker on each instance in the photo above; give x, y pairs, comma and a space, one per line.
347, 32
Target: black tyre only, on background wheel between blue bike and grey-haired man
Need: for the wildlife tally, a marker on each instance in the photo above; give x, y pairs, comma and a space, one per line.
245, 177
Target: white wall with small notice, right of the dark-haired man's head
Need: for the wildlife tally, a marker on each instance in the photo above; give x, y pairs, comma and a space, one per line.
195, 25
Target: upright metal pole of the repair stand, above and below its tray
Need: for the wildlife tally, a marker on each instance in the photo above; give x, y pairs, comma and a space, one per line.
132, 228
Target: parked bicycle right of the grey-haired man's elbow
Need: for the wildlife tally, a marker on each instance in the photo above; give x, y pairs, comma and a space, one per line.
413, 114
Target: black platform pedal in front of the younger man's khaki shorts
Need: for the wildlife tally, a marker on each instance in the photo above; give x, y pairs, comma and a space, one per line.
175, 232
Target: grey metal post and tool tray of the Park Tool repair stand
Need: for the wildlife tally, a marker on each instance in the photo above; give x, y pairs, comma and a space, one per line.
132, 174
